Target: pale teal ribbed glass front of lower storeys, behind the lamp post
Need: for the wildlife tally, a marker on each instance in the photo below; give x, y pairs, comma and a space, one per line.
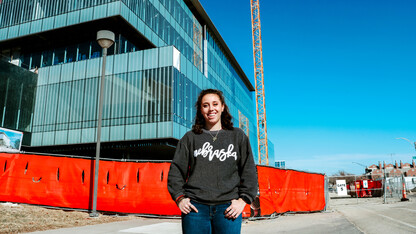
137, 104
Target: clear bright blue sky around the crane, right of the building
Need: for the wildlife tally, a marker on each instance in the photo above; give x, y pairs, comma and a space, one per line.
340, 77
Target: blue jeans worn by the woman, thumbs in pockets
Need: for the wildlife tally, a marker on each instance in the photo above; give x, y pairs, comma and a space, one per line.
210, 219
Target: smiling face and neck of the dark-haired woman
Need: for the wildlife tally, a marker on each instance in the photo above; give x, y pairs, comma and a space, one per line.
211, 109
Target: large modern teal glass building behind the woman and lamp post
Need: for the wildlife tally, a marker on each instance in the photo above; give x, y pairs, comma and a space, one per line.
166, 52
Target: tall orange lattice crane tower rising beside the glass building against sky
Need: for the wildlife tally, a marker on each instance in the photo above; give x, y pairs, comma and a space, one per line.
259, 82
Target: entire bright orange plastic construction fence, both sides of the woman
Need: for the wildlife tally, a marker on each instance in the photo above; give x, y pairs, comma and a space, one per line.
136, 187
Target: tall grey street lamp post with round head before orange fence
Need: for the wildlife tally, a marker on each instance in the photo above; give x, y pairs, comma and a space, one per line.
105, 39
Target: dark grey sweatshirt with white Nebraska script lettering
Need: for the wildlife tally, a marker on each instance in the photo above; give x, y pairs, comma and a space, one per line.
213, 172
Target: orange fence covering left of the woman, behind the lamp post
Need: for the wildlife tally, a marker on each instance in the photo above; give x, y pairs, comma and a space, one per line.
124, 187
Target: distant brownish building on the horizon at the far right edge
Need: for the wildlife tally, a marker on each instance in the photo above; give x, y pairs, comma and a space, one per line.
377, 171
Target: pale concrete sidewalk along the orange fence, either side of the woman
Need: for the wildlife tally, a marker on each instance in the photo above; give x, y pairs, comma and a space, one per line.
323, 222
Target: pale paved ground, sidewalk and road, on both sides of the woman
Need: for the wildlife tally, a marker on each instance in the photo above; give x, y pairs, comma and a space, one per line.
347, 215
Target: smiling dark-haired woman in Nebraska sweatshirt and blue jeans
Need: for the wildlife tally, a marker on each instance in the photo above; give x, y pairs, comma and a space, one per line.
212, 176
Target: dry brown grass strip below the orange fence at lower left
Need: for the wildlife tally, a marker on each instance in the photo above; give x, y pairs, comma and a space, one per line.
18, 218
